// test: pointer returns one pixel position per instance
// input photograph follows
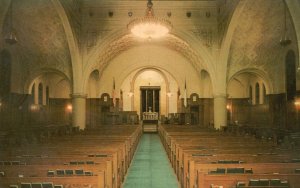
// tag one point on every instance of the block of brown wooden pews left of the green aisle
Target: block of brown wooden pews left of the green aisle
(70, 158)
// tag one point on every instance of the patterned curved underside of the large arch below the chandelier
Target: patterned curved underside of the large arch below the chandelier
(189, 47)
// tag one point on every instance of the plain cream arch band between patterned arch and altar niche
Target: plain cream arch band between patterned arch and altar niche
(137, 57)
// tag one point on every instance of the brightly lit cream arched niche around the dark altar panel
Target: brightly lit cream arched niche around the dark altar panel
(149, 76)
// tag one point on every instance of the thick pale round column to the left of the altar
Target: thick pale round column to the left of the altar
(79, 110)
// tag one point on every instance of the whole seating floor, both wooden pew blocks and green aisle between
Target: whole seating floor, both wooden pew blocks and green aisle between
(123, 156)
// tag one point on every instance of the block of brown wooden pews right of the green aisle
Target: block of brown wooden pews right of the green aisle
(198, 154)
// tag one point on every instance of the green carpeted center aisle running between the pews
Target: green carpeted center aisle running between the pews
(150, 167)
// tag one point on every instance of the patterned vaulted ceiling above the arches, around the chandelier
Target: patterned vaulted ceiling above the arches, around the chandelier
(44, 43)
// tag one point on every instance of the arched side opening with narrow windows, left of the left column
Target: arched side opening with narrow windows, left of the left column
(51, 89)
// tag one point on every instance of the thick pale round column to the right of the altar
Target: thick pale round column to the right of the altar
(220, 111)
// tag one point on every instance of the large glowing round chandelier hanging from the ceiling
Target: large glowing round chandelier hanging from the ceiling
(149, 27)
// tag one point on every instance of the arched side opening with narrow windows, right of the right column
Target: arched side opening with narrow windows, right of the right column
(244, 92)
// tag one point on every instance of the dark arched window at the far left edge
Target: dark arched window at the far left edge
(5, 73)
